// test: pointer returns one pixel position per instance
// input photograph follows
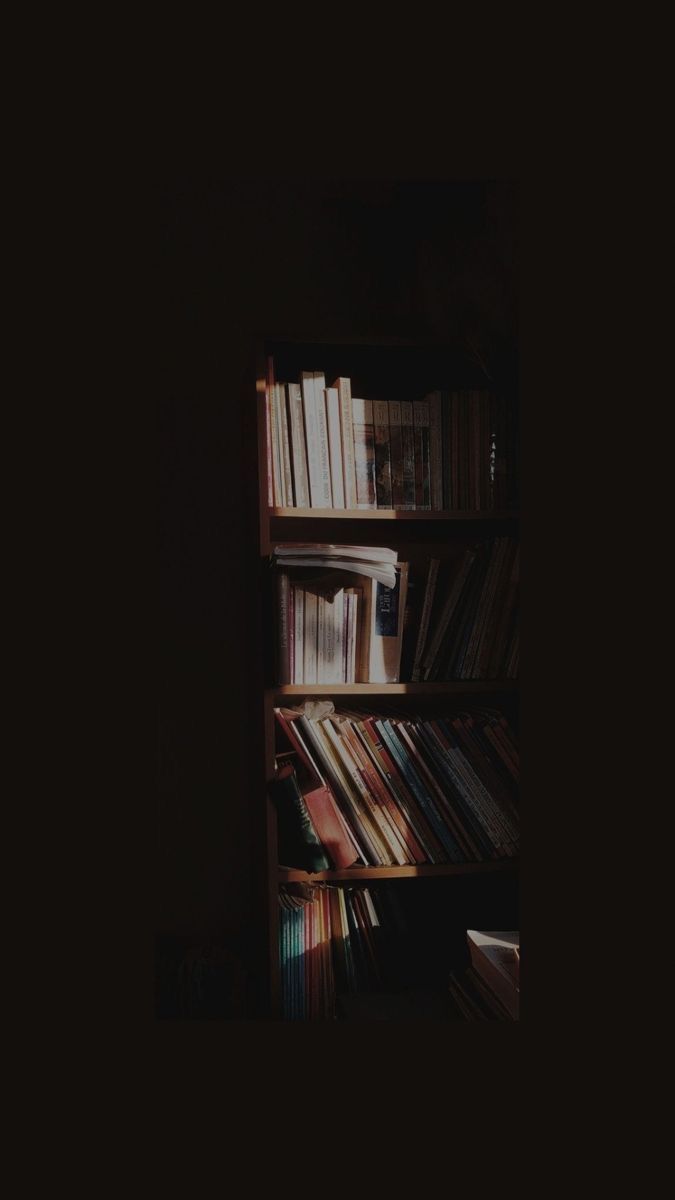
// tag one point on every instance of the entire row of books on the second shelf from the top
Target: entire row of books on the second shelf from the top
(338, 626)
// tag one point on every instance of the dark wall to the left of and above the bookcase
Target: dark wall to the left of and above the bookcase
(241, 260)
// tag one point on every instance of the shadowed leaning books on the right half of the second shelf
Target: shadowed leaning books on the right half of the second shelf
(468, 627)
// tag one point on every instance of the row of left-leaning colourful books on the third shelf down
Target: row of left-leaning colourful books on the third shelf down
(385, 790)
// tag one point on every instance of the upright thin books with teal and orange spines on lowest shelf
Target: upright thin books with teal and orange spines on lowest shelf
(338, 944)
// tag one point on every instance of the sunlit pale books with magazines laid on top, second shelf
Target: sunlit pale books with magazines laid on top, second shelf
(341, 614)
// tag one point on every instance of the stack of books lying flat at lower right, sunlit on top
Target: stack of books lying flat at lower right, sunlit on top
(491, 988)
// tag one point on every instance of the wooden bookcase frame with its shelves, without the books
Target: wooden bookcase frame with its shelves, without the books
(391, 370)
